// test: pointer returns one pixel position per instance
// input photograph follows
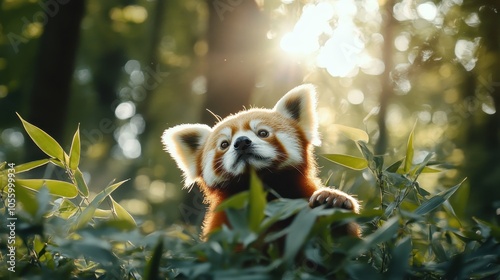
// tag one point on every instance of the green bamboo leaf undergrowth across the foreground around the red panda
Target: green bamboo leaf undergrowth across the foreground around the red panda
(52, 229)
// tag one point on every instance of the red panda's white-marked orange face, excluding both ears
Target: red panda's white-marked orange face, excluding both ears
(257, 138)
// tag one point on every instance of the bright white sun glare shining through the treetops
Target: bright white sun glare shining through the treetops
(326, 33)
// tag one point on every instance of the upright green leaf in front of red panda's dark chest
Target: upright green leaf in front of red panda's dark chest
(257, 202)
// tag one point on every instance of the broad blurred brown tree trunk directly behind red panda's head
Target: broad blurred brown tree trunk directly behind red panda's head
(236, 37)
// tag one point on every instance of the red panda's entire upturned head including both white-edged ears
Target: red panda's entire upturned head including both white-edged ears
(271, 139)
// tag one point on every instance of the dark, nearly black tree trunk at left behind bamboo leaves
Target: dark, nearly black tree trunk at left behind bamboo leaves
(54, 69)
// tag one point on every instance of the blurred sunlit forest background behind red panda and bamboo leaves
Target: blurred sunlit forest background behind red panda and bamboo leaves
(125, 70)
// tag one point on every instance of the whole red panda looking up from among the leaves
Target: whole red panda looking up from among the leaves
(277, 143)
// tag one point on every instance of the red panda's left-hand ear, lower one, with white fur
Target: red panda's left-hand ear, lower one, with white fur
(184, 142)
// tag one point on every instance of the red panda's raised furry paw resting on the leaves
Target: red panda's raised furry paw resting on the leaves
(334, 198)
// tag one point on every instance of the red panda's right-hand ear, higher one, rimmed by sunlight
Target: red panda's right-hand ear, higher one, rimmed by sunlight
(299, 104)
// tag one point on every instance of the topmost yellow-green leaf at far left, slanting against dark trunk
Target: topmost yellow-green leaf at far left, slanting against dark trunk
(44, 141)
